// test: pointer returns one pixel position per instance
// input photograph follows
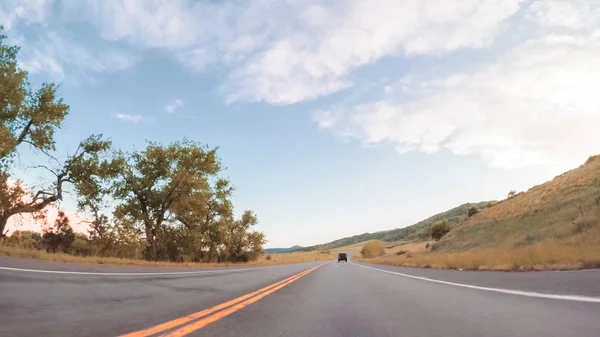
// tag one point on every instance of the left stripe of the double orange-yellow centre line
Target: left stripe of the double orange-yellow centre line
(180, 321)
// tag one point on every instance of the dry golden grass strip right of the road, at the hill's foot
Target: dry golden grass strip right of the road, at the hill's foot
(577, 252)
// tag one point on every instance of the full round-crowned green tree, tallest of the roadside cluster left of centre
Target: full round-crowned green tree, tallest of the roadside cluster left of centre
(156, 182)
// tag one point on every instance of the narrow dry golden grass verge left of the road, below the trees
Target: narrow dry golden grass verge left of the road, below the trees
(276, 259)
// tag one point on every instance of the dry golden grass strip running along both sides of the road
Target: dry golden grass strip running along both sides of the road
(577, 252)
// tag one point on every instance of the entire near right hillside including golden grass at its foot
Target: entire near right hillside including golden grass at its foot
(555, 225)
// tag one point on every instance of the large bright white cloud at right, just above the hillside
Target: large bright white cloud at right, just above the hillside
(535, 104)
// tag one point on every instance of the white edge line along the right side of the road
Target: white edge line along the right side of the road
(498, 290)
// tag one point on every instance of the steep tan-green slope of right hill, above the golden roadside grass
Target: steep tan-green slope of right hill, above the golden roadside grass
(555, 210)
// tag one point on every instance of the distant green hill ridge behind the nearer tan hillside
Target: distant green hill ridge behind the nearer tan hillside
(418, 231)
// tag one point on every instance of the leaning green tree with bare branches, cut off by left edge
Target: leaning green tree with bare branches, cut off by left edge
(31, 118)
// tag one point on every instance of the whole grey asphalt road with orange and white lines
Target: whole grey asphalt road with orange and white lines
(311, 299)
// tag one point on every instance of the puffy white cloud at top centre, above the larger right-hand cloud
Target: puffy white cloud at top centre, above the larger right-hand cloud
(316, 59)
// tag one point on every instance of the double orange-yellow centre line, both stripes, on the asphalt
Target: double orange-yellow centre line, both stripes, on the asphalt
(202, 318)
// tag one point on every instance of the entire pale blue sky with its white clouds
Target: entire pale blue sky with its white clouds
(333, 118)
